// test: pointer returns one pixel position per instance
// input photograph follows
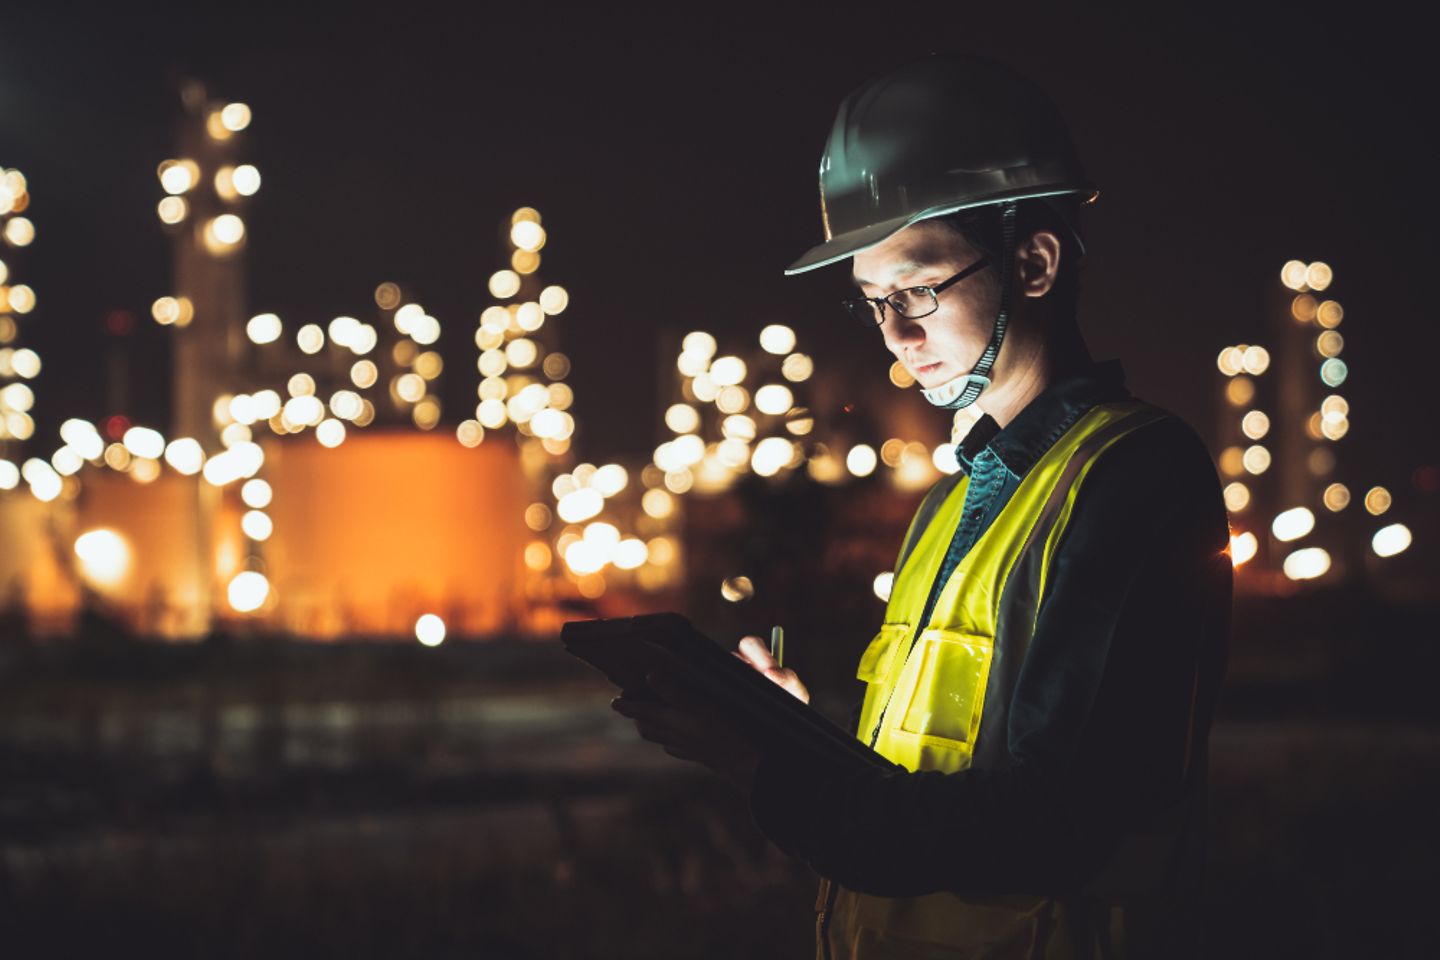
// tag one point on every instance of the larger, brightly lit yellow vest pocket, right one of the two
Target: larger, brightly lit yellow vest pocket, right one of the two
(950, 689)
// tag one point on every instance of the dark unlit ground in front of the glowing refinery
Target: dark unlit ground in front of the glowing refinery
(482, 801)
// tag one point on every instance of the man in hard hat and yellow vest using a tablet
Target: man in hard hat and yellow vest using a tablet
(1055, 640)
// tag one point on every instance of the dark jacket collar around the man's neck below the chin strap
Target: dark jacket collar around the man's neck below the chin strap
(1038, 427)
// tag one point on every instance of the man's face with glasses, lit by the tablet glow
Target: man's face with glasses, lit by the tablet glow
(950, 342)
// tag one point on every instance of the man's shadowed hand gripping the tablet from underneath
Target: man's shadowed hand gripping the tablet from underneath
(690, 728)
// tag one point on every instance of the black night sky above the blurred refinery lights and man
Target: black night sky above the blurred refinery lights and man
(673, 158)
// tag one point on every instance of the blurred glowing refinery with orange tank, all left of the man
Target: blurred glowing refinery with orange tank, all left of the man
(382, 523)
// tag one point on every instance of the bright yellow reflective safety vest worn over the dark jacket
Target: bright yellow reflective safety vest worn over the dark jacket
(932, 697)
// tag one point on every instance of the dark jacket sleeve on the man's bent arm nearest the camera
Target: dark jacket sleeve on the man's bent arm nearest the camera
(1101, 716)
